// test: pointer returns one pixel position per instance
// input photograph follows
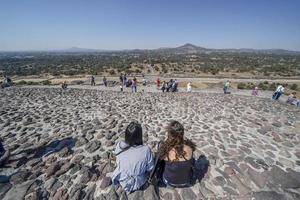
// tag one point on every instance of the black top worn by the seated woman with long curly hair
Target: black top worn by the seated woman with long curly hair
(179, 172)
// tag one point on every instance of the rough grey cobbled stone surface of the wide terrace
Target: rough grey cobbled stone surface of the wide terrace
(64, 141)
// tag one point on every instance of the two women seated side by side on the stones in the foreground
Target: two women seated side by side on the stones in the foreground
(174, 163)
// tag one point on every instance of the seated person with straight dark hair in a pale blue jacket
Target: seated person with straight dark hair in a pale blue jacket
(133, 159)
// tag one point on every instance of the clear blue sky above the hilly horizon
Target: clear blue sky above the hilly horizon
(148, 24)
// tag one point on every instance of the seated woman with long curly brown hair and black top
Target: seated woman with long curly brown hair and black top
(177, 154)
